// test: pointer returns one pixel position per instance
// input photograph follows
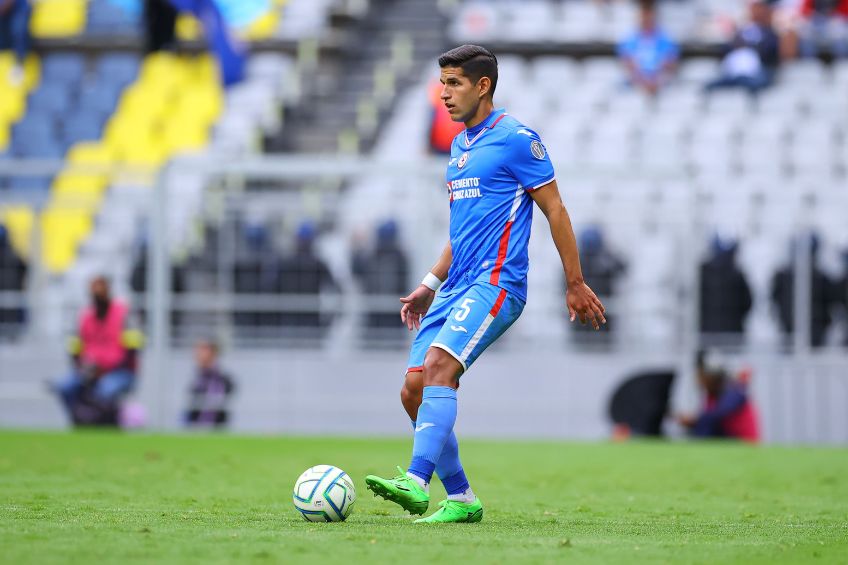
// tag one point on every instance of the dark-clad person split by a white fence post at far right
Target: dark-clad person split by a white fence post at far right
(824, 296)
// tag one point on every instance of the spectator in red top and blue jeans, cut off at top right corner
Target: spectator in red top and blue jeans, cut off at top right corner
(824, 22)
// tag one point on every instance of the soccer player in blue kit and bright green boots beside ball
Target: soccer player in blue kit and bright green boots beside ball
(498, 167)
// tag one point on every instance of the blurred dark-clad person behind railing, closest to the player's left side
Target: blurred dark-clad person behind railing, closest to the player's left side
(383, 272)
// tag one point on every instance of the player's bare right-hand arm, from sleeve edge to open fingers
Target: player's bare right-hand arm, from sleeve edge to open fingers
(581, 300)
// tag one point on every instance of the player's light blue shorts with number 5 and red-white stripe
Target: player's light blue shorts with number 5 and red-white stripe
(464, 323)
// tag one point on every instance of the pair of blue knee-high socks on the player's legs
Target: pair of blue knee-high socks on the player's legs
(435, 443)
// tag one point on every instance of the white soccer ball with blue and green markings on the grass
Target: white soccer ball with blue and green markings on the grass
(324, 494)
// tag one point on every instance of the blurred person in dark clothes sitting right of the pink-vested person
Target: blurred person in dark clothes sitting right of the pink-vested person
(211, 389)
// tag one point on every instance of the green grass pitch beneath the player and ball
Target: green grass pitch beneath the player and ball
(102, 497)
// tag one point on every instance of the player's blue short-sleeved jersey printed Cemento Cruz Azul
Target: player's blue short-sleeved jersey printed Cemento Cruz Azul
(493, 167)
